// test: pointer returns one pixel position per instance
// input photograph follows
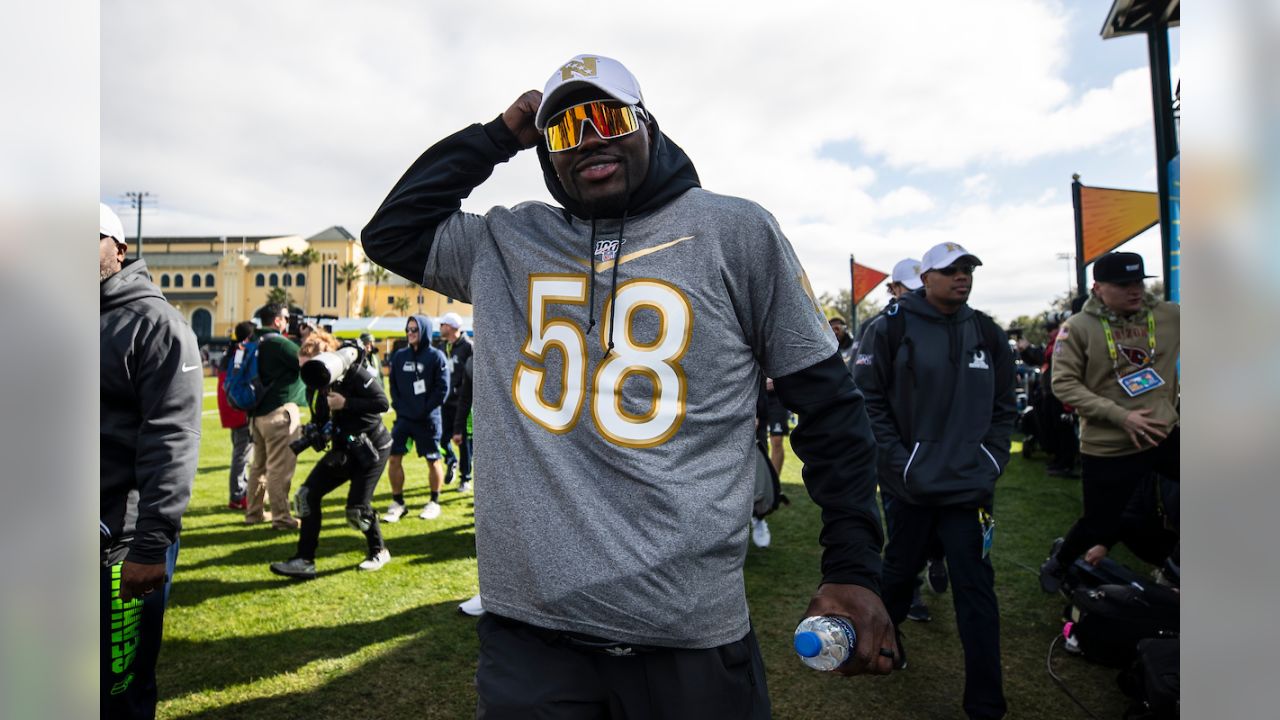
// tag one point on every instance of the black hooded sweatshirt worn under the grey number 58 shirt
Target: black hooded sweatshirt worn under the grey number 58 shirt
(834, 438)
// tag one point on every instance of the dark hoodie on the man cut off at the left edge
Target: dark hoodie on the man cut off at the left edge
(152, 397)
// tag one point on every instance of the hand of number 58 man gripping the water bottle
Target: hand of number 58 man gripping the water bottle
(871, 623)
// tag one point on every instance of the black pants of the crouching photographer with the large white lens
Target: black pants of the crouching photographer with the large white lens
(335, 470)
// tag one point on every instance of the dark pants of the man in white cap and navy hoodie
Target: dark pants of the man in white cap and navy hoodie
(973, 589)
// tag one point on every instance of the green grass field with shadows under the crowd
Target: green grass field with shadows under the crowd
(243, 644)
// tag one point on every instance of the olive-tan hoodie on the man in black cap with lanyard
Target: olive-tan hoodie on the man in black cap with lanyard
(1086, 379)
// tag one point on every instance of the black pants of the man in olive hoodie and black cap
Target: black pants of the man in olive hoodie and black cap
(1109, 486)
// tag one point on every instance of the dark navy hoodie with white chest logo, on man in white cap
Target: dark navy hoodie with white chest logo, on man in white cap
(941, 405)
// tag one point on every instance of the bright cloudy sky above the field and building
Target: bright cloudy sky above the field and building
(868, 129)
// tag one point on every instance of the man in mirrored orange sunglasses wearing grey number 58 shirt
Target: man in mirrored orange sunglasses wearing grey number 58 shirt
(628, 330)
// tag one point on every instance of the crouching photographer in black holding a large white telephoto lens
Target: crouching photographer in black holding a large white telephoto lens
(348, 405)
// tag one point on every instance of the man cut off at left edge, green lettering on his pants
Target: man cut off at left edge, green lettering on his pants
(152, 390)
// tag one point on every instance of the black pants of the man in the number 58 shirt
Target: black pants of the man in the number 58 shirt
(527, 675)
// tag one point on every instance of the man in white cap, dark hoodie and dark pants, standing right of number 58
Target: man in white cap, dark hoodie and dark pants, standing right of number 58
(939, 380)
